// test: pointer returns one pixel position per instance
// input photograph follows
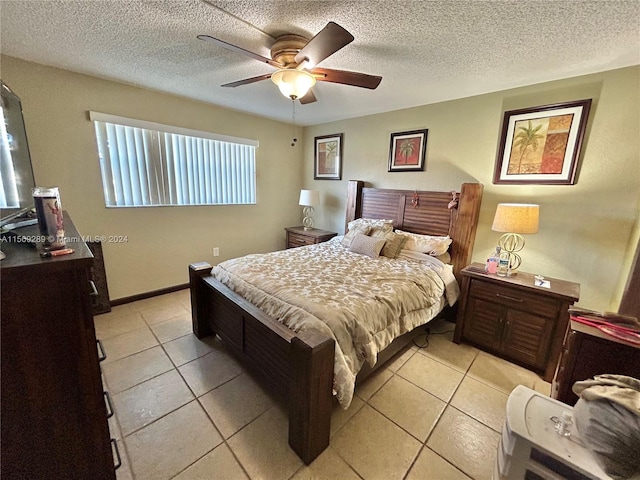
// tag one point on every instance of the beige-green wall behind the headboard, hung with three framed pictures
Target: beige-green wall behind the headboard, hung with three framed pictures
(586, 229)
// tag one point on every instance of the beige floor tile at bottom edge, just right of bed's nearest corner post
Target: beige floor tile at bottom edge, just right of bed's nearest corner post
(375, 447)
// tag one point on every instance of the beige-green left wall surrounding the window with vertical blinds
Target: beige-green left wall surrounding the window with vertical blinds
(161, 241)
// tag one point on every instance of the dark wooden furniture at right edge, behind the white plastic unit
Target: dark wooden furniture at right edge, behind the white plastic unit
(588, 352)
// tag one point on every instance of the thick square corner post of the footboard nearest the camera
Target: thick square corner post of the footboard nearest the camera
(310, 394)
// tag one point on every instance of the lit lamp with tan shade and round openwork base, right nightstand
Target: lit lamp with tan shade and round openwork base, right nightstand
(515, 219)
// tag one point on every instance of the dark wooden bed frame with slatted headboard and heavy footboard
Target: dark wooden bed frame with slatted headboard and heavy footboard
(301, 365)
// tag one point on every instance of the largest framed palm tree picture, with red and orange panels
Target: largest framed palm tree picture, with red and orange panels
(542, 145)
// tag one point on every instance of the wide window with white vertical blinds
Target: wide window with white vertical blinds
(149, 164)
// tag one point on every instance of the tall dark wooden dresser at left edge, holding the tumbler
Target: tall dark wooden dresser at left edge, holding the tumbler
(54, 410)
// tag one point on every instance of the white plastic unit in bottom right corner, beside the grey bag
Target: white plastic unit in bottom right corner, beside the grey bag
(531, 449)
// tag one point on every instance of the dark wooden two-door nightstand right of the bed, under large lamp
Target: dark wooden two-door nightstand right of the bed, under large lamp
(515, 319)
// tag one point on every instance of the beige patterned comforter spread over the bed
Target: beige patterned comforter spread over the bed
(362, 303)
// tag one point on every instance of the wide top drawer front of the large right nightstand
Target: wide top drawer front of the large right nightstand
(514, 298)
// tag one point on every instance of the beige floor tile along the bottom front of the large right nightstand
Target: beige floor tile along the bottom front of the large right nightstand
(500, 374)
